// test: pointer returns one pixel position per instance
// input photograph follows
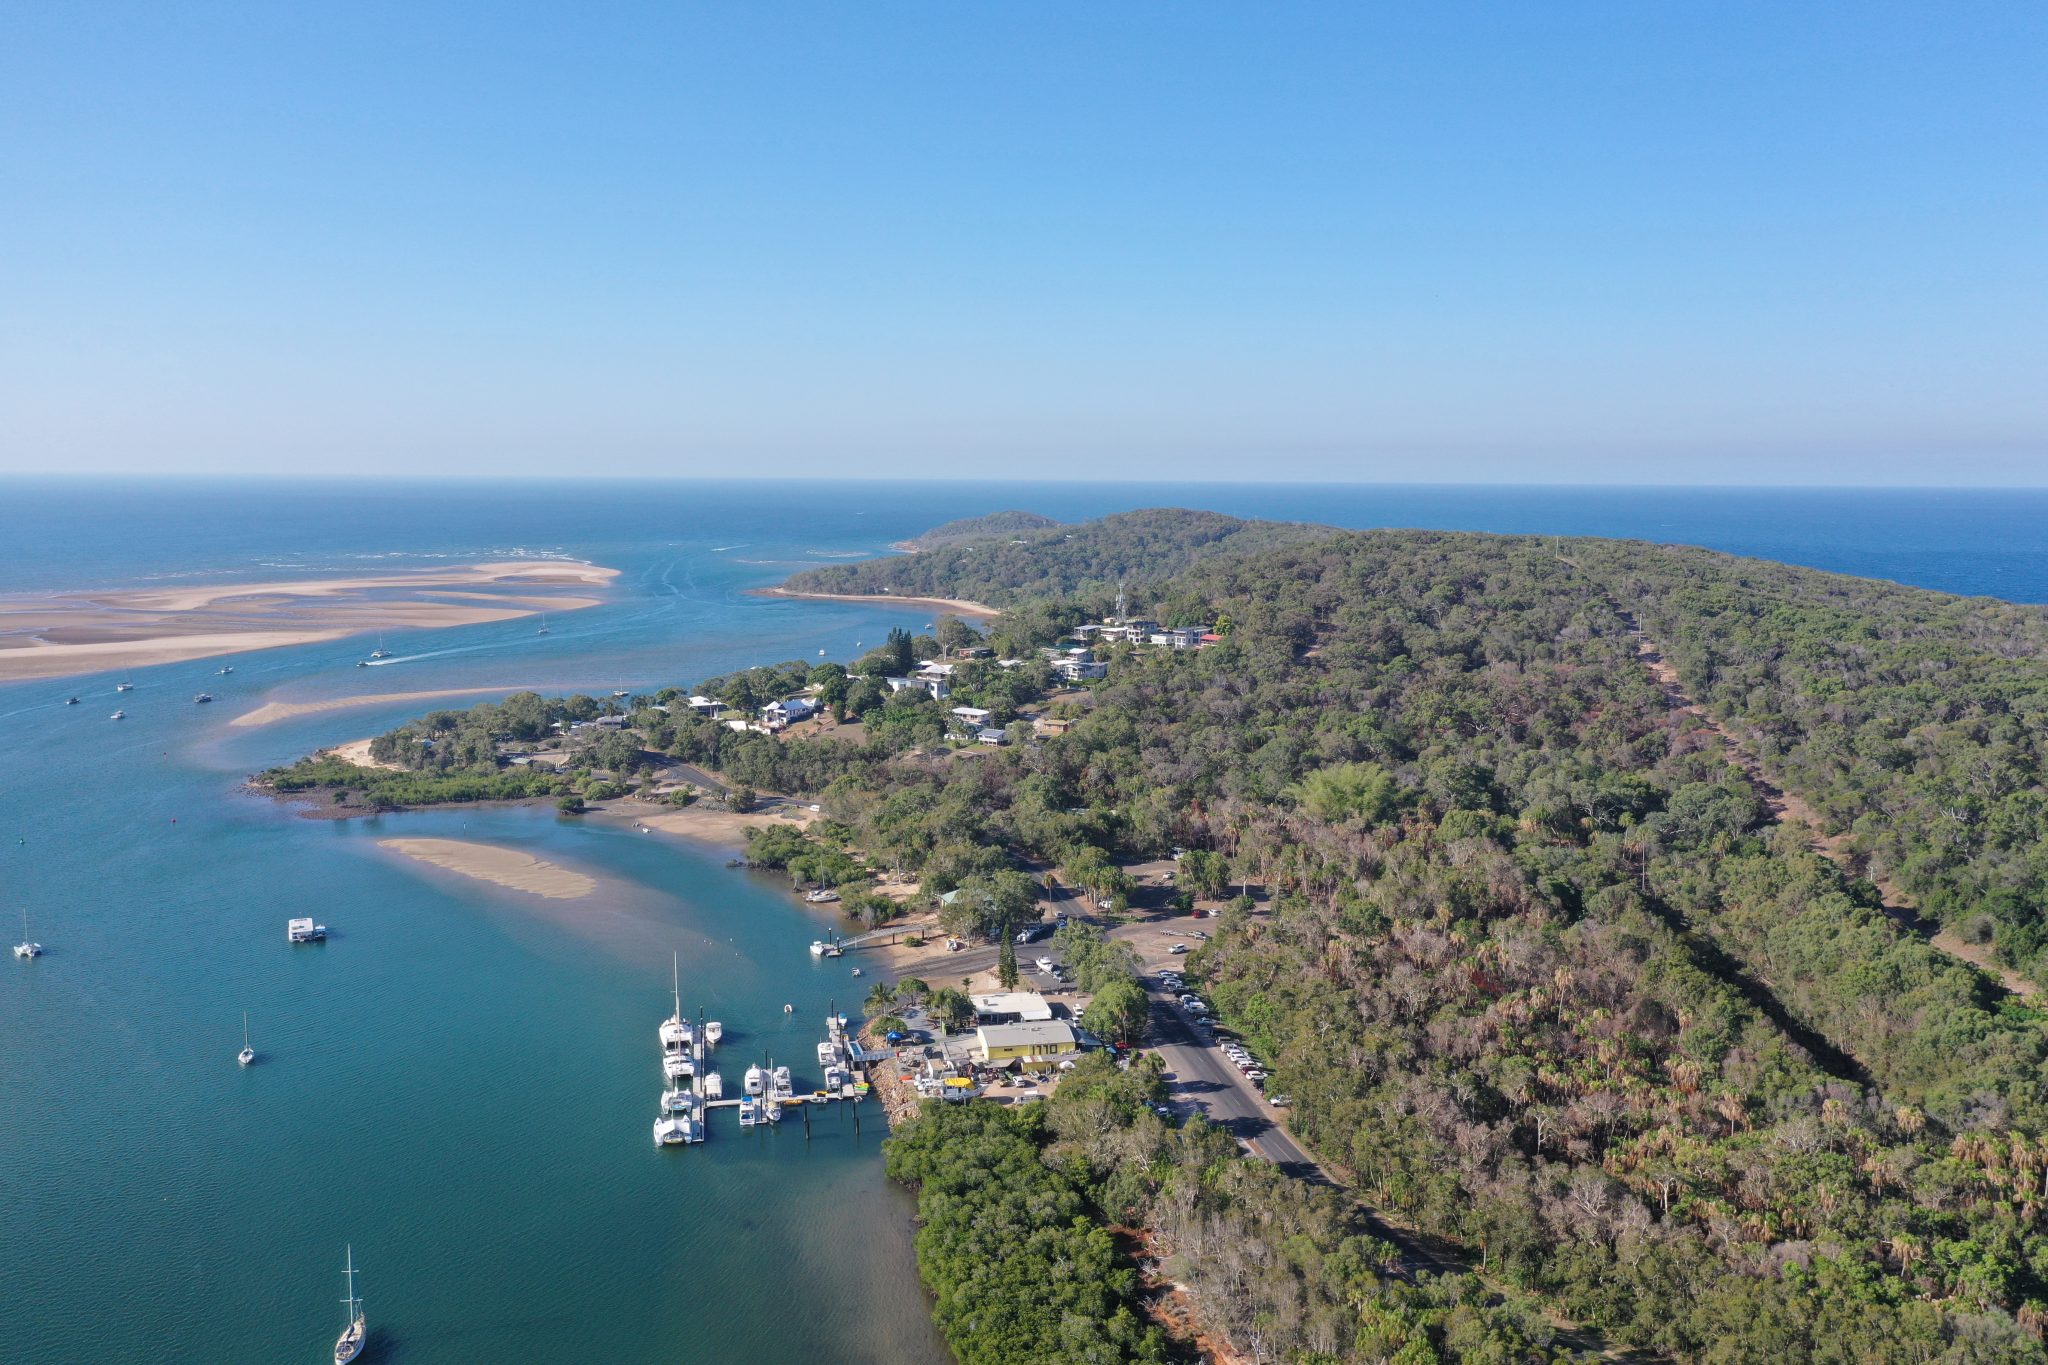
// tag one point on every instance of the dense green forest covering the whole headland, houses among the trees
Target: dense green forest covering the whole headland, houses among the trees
(1510, 920)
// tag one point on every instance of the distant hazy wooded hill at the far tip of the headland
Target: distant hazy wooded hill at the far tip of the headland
(1062, 562)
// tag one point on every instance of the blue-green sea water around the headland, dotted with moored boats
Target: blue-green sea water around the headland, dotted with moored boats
(462, 1082)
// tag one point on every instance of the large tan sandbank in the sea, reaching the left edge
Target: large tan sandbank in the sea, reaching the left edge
(60, 635)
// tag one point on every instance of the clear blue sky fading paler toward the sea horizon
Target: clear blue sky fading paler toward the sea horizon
(1588, 243)
